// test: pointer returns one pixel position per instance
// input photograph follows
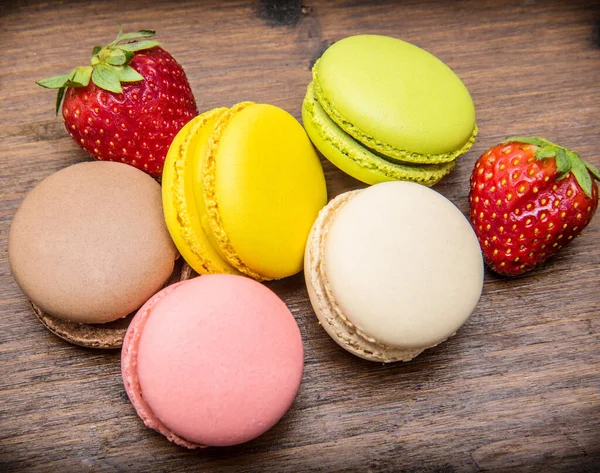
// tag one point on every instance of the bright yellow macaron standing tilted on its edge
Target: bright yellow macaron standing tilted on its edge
(241, 189)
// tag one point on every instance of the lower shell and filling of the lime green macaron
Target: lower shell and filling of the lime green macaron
(367, 165)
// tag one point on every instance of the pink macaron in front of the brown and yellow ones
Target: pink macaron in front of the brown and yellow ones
(212, 361)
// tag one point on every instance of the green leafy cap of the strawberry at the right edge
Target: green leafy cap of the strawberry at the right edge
(567, 161)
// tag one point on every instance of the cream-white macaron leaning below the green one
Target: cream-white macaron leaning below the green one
(392, 270)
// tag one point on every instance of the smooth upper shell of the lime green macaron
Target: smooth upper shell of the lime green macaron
(392, 95)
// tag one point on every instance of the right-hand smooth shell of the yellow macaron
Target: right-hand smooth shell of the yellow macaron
(263, 188)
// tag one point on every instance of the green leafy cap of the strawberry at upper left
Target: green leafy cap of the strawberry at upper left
(109, 66)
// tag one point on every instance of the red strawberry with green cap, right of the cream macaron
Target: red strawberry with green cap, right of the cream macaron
(529, 198)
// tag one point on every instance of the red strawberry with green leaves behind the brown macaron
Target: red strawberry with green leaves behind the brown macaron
(129, 104)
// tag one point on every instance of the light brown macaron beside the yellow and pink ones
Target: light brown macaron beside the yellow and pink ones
(88, 246)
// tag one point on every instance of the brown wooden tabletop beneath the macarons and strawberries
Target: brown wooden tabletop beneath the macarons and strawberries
(517, 389)
